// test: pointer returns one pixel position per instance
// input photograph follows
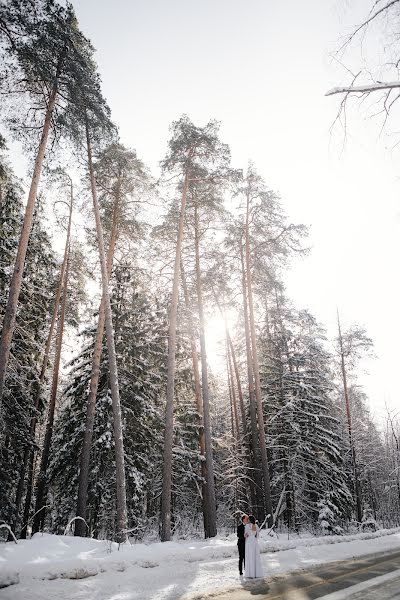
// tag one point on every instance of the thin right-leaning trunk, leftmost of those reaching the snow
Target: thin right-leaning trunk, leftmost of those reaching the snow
(27, 463)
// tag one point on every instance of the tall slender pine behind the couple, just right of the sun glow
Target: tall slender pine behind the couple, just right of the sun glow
(263, 241)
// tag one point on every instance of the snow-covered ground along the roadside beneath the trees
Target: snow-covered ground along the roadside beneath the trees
(52, 567)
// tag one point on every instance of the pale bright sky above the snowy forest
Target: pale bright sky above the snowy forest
(262, 68)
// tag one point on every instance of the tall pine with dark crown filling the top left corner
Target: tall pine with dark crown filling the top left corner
(45, 56)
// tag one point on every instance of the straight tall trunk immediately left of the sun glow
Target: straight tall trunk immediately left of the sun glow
(211, 506)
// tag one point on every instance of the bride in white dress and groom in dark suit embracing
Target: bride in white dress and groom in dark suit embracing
(249, 550)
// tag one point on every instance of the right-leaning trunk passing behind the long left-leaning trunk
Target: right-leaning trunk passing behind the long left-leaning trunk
(83, 483)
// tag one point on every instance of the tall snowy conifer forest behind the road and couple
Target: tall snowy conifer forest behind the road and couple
(110, 410)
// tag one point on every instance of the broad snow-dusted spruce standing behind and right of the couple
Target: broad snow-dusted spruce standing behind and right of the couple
(304, 431)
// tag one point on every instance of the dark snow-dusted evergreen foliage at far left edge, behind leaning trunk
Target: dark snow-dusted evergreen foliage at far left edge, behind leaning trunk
(30, 336)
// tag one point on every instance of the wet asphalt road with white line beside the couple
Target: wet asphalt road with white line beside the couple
(375, 577)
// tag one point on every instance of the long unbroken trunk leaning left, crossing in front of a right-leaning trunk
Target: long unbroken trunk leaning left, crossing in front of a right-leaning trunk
(112, 361)
